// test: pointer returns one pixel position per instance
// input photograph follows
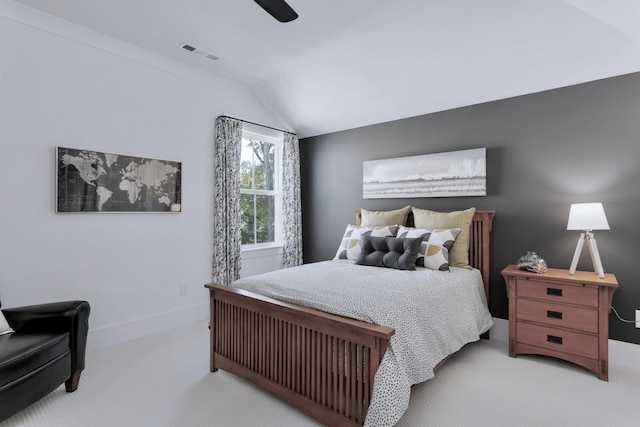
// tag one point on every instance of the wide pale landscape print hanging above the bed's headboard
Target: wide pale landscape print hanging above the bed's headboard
(451, 174)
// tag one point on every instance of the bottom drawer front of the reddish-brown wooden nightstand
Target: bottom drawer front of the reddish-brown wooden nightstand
(554, 339)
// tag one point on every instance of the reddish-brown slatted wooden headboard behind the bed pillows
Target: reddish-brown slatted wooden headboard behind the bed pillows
(479, 242)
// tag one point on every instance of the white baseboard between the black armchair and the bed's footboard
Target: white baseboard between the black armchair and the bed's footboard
(119, 333)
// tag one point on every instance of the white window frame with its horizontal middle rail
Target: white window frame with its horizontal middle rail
(275, 138)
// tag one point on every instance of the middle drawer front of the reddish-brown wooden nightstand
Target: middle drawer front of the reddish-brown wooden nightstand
(564, 316)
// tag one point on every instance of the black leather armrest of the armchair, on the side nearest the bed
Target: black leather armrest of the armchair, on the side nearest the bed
(66, 316)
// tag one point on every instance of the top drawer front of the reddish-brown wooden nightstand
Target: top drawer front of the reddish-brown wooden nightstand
(557, 292)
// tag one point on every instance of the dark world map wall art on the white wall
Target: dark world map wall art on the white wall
(91, 181)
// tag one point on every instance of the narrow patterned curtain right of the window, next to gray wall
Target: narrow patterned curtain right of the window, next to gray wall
(292, 205)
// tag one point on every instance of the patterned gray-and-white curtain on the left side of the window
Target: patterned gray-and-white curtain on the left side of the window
(226, 211)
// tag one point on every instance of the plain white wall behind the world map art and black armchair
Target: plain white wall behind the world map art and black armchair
(62, 85)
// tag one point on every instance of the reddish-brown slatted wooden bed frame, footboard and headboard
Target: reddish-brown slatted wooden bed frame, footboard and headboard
(322, 364)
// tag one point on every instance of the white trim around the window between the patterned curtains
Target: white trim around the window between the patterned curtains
(276, 138)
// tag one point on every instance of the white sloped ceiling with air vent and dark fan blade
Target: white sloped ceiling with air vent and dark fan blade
(349, 63)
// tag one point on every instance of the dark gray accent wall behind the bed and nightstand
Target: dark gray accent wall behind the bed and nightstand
(544, 151)
